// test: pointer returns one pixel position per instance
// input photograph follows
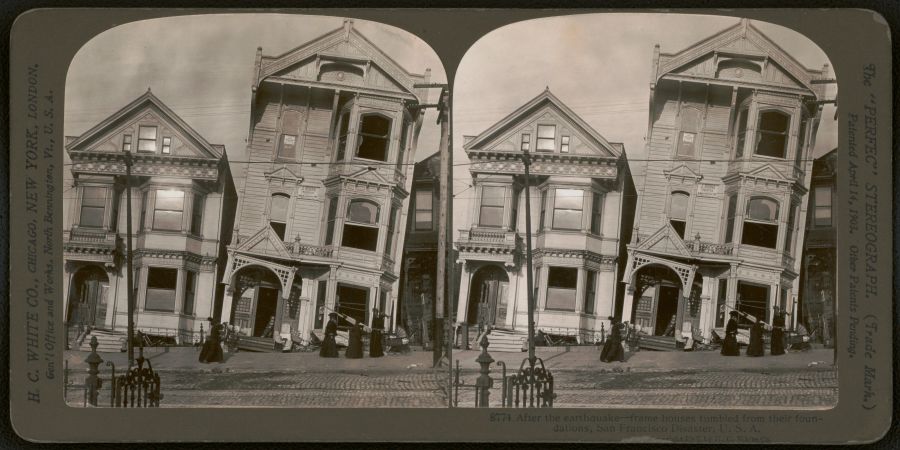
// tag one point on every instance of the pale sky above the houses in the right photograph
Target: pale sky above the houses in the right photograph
(597, 64)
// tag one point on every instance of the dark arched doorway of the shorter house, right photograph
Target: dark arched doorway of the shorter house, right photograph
(488, 304)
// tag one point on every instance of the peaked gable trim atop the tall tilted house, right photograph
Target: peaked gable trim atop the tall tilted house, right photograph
(724, 41)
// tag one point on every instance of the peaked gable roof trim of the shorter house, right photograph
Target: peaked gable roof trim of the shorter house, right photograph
(544, 99)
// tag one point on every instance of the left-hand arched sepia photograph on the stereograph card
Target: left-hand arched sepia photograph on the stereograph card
(241, 196)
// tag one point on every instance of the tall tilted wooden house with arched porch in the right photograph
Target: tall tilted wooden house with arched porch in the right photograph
(720, 211)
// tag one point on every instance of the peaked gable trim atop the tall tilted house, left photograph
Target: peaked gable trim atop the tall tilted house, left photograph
(328, 46)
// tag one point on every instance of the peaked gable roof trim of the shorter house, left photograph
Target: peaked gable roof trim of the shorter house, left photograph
(137, 108)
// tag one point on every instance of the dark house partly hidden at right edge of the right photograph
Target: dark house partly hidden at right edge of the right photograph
(818, 273)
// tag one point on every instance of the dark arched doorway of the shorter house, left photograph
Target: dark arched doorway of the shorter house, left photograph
(88, 297)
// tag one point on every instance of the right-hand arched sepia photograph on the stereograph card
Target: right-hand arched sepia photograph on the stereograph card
(643, 204)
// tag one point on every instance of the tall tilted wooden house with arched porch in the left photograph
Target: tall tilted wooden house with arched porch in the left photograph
(333, 129)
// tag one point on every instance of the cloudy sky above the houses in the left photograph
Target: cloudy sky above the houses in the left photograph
(202, 66)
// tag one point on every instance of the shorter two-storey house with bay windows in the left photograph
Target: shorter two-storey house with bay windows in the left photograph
(182, 207)
